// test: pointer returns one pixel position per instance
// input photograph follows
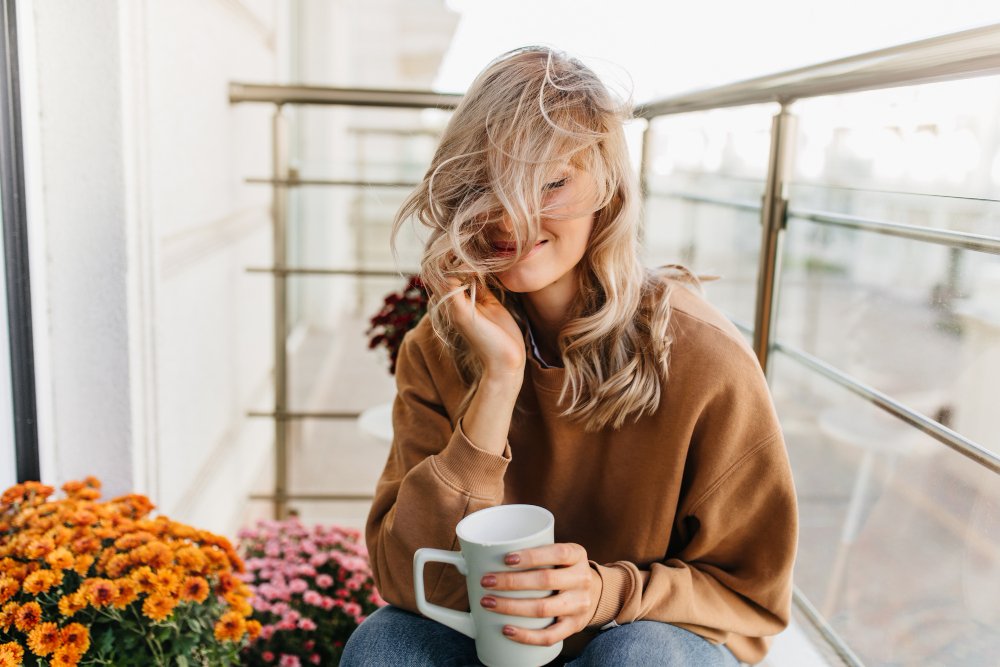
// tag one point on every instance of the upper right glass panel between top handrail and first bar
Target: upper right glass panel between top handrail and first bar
(862, 153)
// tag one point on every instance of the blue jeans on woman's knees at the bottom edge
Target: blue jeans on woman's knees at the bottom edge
(392, 636)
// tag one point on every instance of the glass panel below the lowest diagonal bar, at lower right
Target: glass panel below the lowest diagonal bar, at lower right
(899, 543)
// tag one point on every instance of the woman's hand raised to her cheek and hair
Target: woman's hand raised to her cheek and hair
(490, 330)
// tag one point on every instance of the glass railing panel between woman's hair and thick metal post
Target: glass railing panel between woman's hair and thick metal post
(705, 177)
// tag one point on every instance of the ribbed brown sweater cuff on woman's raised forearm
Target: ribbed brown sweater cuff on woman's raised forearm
(470, 469)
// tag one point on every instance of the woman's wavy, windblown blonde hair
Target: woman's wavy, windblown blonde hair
(529, 112)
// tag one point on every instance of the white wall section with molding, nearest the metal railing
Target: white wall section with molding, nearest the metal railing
(213, 351)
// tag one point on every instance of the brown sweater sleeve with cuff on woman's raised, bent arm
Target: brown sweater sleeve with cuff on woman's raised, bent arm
(433, 478)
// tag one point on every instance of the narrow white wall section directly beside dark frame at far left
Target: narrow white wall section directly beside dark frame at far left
(77, 211)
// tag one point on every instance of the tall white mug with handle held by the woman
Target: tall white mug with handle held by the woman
(486, 537)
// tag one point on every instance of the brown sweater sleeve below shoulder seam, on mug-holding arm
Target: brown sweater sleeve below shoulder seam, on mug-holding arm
(732, 580)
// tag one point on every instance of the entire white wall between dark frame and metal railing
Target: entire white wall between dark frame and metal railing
(152, 341)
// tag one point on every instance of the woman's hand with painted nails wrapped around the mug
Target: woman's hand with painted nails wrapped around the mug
(577, 589)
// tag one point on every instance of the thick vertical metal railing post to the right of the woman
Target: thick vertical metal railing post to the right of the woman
(772, 217)
